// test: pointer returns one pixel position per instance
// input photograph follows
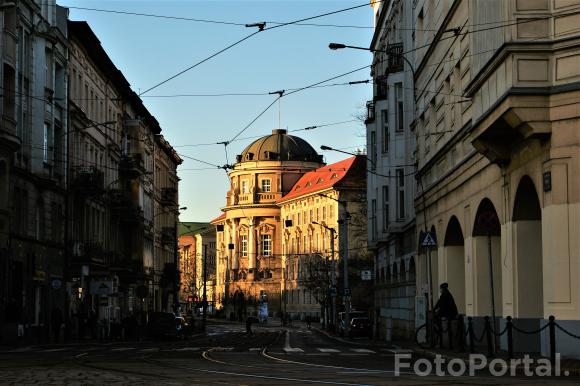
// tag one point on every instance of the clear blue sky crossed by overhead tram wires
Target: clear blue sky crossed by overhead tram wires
(149, 50)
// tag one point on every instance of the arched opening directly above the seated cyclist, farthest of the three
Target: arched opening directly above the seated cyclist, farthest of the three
(454, 255)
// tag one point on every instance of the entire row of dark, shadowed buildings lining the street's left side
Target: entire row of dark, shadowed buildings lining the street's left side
(76, 171)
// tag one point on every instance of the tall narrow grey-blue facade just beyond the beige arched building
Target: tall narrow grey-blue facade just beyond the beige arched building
(391, 187)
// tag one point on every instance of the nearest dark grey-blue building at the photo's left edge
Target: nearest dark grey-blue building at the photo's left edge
(32, 166)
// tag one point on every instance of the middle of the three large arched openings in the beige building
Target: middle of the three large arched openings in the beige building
(486, 244)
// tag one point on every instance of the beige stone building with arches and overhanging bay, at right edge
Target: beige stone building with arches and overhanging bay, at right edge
(497, 113)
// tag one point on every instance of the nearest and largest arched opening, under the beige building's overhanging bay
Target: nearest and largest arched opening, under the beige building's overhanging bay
(527, 232)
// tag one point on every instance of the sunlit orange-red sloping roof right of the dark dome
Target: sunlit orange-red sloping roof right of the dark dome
(323, 178)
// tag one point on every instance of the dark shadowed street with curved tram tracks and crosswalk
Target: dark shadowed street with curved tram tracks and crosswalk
(226, 355)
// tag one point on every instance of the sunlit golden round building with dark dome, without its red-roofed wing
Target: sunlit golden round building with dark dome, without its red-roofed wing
(249, 249)
